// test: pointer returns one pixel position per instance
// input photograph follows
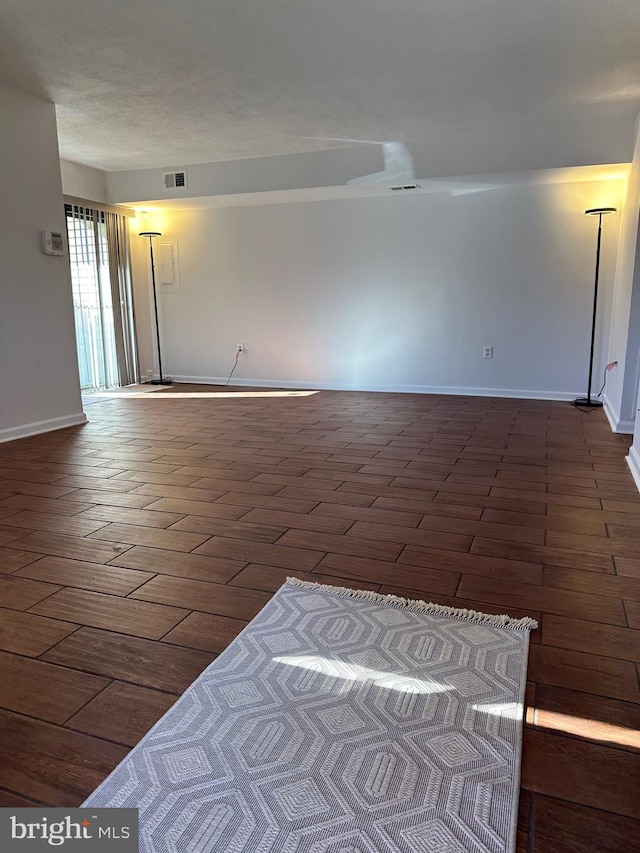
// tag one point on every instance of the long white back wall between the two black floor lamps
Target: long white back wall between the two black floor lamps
(394, 293)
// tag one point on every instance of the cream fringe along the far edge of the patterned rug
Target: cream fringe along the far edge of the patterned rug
(502, 621)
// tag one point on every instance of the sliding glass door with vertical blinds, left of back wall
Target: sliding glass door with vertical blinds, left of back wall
(103, 307)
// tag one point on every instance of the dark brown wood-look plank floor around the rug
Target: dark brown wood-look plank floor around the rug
(134, 548)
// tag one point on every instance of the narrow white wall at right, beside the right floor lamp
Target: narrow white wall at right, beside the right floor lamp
(622, 385)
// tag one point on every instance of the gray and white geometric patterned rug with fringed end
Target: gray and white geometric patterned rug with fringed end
(339, 721)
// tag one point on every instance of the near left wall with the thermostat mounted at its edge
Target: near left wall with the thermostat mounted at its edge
(39, 387)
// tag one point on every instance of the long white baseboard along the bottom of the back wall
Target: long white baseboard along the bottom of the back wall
(515, 393)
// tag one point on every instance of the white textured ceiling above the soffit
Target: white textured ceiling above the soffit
(157, 83)
